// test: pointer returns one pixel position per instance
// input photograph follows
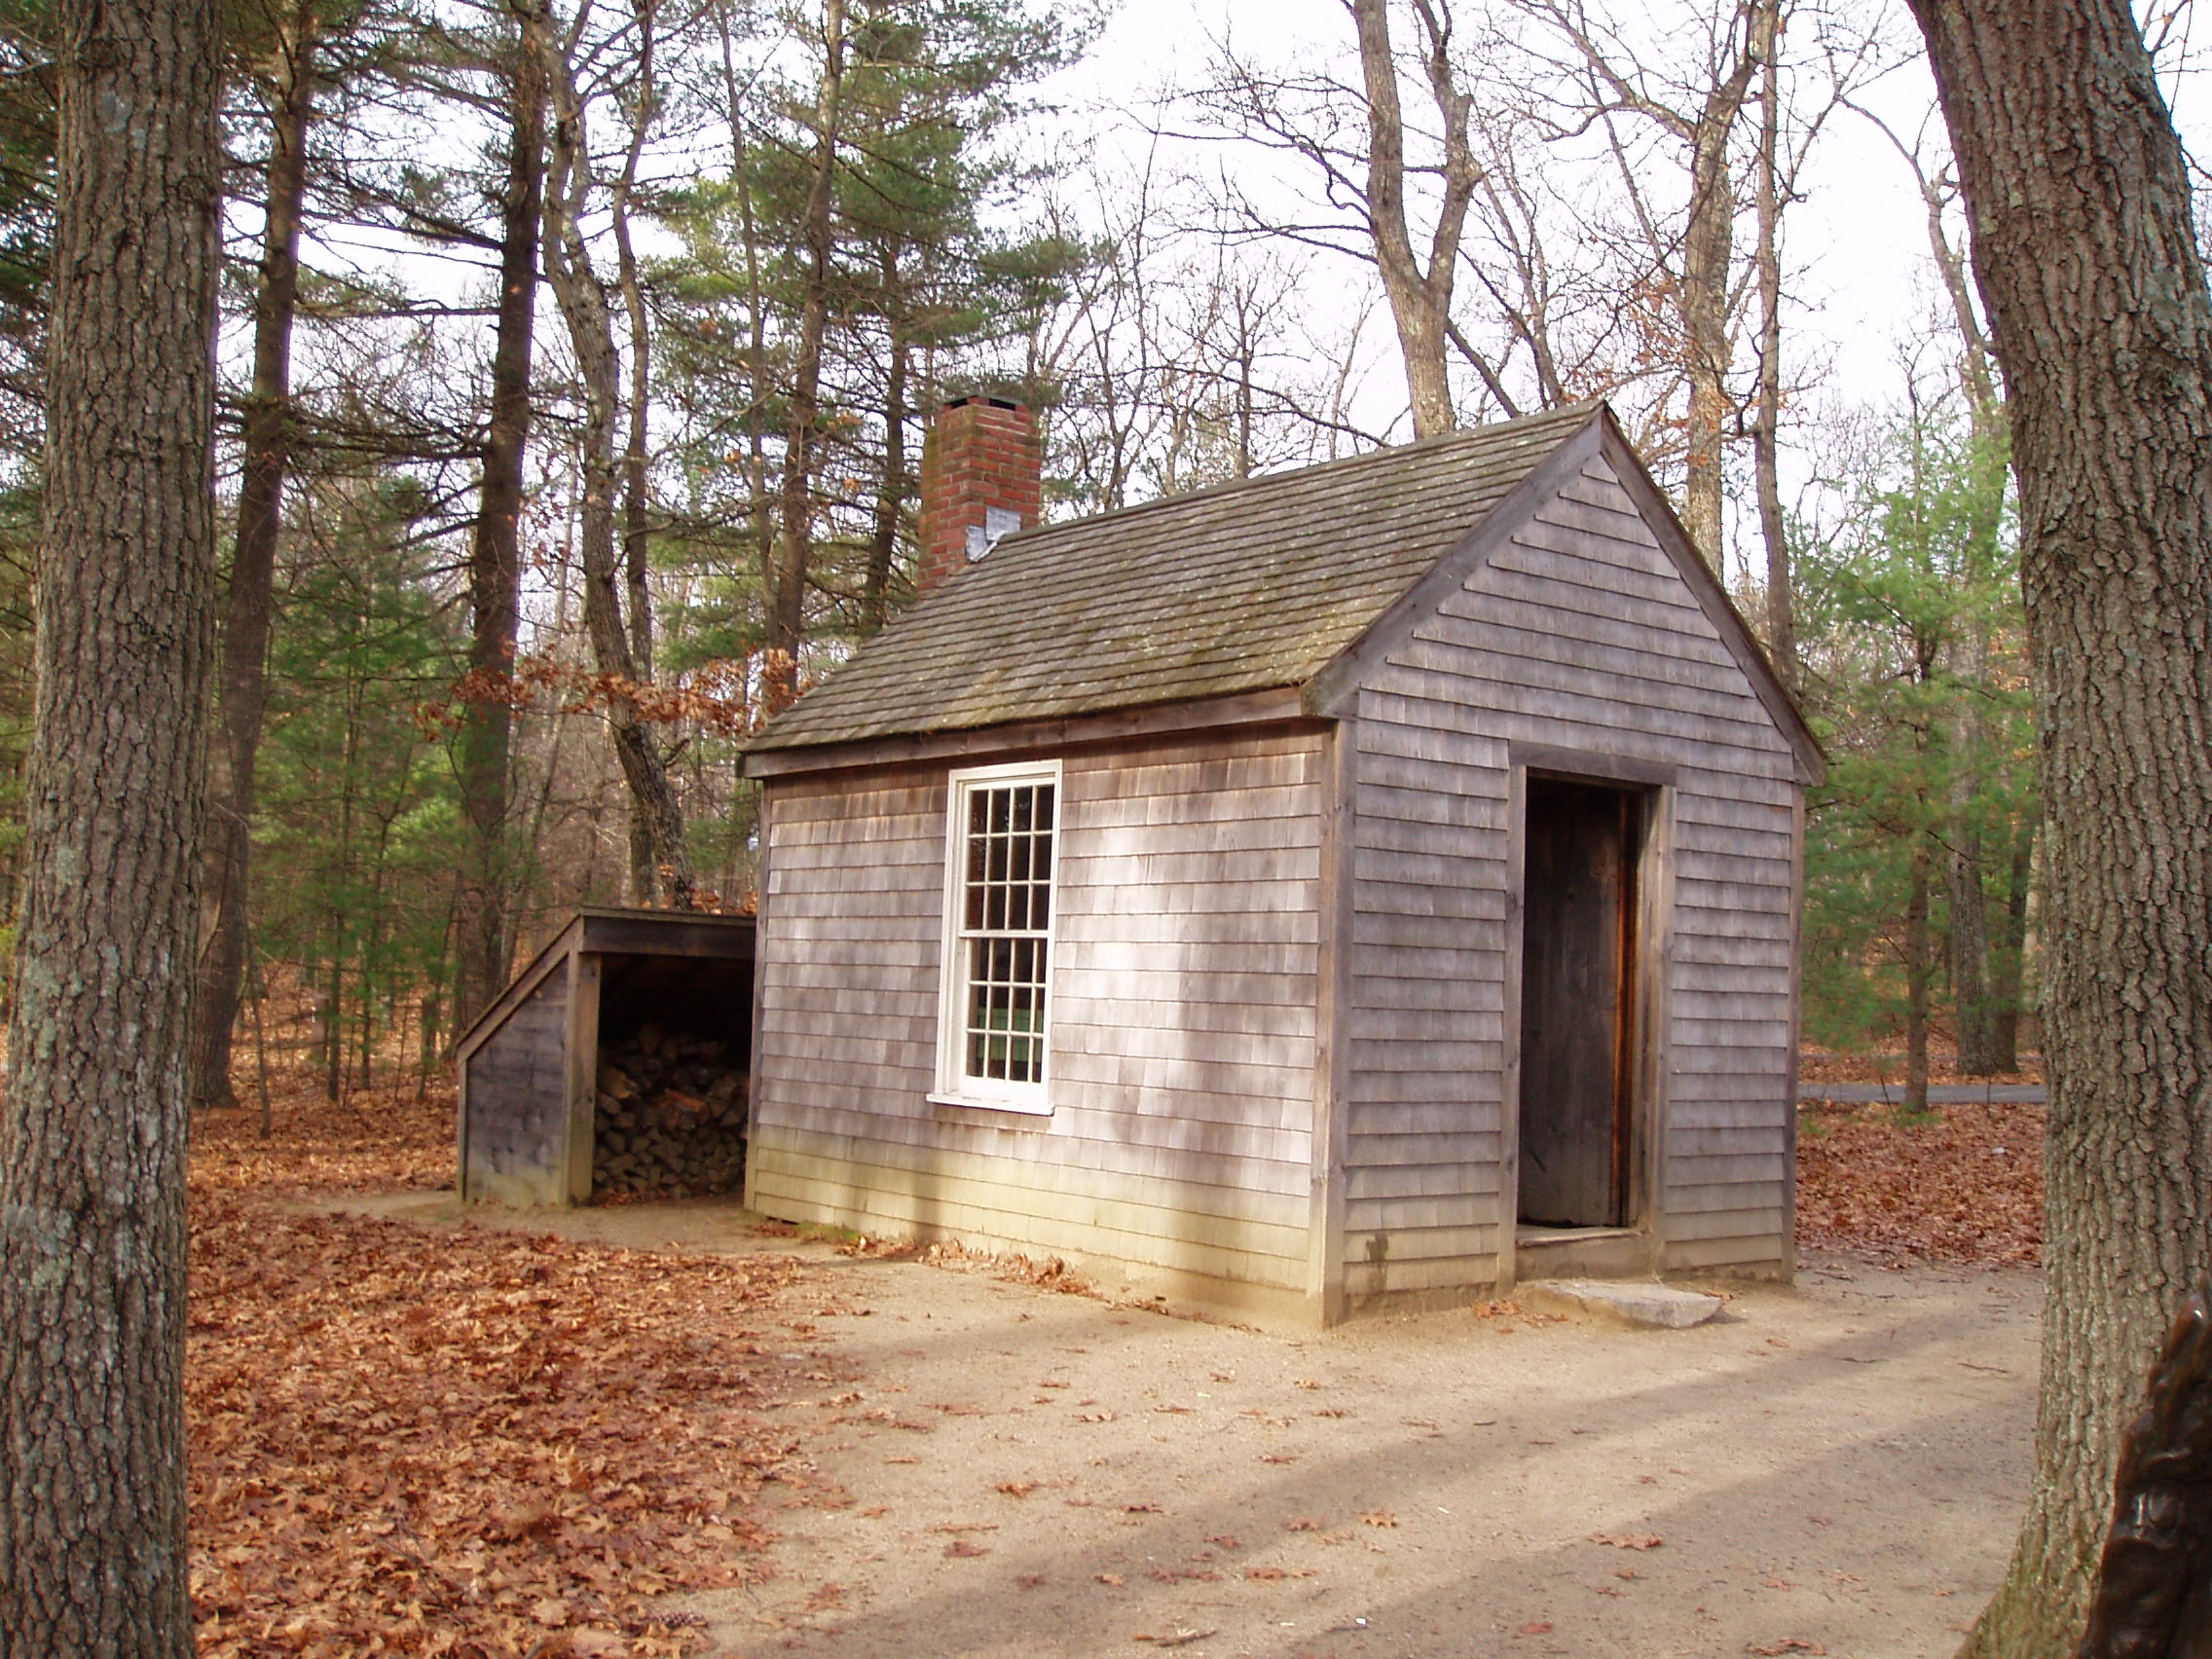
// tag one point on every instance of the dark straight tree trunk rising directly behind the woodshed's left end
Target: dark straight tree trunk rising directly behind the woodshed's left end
(497, 554)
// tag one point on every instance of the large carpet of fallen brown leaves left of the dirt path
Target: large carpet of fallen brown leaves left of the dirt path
(457, 1443)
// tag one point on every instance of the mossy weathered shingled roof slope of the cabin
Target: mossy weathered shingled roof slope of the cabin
(1235, 589)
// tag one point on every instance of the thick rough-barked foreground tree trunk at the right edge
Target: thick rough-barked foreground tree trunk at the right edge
(2087, 255)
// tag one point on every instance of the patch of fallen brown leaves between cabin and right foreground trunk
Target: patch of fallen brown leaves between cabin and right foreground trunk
(1965, 1187)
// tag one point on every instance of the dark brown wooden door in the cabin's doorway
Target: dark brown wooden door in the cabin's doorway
(1576, 1005)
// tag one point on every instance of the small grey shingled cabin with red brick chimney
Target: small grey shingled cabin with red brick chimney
(1350, 888)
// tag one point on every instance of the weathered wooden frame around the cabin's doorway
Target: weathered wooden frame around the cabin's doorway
(1653, 948)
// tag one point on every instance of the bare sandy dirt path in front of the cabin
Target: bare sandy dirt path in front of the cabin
(1019, 1474)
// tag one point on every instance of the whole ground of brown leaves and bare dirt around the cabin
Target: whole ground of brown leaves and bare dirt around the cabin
(654, 1430)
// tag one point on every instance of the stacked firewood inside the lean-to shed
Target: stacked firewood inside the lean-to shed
(671, 1116)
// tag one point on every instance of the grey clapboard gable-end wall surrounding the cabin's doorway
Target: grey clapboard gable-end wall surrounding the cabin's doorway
(1576, 634)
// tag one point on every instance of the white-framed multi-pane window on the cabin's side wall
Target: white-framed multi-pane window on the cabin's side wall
(997, 992)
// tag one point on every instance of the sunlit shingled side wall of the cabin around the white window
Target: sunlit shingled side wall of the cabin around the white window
(1182, 1021)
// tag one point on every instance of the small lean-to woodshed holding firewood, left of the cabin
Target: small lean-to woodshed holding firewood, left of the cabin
(614, 1063)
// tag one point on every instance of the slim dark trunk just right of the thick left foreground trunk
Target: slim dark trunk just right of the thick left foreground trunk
(253, 563)
